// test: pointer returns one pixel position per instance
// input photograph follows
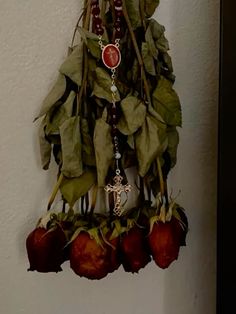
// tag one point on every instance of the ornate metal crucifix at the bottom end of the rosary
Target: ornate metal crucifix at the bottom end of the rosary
(118, 188)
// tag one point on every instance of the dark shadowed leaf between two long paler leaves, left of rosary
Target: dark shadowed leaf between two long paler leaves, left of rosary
(88, 154)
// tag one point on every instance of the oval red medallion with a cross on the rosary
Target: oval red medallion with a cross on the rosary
(111, 56)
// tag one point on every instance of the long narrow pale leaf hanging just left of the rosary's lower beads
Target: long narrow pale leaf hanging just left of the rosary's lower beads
(103, 149)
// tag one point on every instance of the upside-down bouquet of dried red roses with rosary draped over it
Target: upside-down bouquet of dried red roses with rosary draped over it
(112, 107)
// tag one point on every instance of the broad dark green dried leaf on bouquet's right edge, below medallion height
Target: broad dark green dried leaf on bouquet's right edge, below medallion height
(166, 102)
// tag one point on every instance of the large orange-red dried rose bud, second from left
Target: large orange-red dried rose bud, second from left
(88, 258)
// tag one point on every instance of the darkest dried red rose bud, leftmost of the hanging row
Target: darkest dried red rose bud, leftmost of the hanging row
(45, 249)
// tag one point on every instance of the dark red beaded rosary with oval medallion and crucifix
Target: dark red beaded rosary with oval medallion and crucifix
(111, 58)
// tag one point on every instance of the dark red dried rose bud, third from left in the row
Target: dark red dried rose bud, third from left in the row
(134, 251)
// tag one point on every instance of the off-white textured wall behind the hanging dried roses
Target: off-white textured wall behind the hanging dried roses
(34, 36)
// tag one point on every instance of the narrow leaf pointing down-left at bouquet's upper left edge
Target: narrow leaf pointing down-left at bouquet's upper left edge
(54, 95)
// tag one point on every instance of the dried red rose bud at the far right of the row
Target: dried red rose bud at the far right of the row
(164, 242)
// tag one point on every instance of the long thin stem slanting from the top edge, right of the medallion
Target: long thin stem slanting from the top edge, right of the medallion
(136, 48)
